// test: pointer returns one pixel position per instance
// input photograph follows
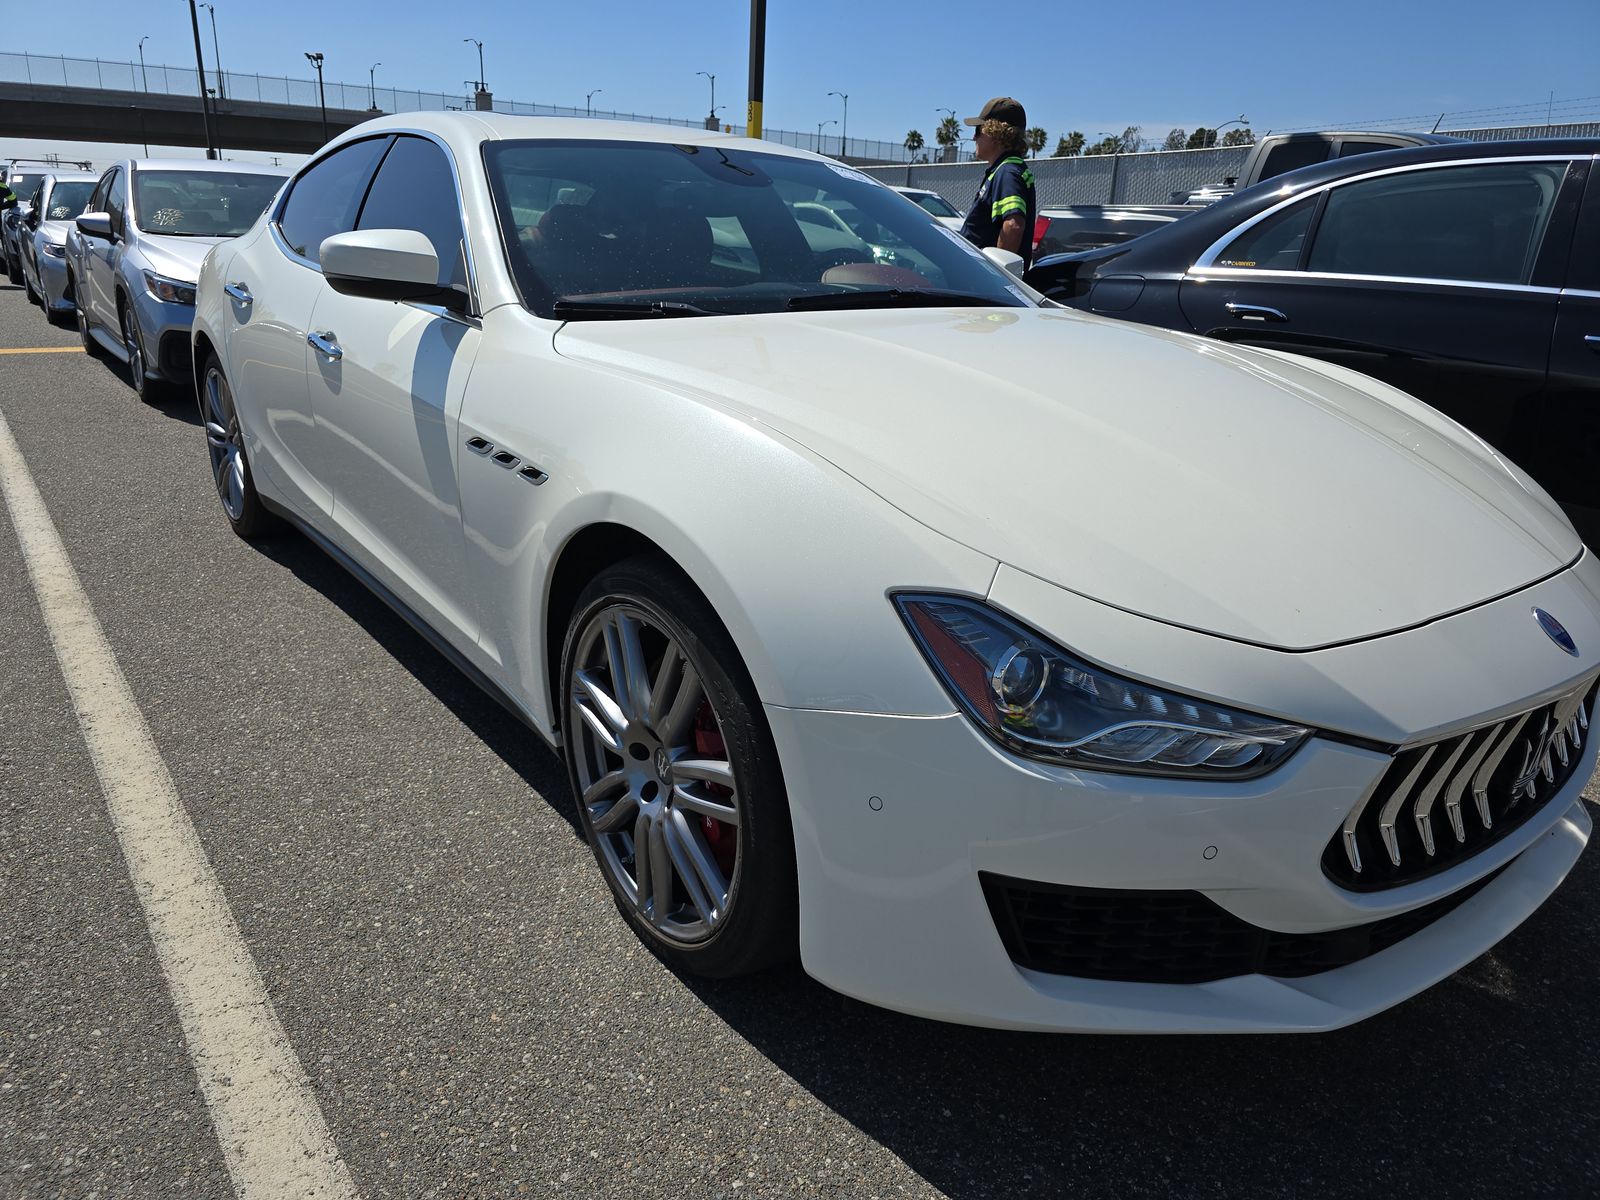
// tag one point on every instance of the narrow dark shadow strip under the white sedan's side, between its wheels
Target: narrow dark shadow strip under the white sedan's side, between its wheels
(521, 748)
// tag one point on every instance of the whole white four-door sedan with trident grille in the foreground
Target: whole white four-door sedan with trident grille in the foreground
(1166, 687)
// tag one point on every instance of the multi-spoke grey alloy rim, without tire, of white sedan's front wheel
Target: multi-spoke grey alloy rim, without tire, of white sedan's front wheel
(657, 785)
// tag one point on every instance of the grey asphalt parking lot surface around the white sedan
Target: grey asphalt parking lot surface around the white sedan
(404, 865)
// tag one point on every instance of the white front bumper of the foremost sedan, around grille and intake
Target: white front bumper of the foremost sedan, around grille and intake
(897, 820)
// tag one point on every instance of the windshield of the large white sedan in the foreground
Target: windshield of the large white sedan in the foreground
(615, 230)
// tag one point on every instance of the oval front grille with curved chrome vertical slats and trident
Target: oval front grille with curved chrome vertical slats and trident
(1446, 802)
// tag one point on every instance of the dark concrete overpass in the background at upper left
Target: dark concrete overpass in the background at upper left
(158, 119)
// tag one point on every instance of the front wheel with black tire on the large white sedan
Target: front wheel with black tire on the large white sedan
(729, 906)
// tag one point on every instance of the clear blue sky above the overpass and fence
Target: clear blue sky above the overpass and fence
(1092, 68)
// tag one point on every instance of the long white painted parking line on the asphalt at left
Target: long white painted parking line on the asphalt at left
(274, 1140)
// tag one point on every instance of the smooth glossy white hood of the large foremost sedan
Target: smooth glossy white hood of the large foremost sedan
(1250, 495)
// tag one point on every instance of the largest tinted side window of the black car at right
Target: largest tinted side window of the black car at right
(1471, 223)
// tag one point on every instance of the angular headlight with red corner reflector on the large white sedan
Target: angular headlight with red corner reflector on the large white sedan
(1041, 702)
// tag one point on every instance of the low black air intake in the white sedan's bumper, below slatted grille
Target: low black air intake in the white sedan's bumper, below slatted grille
(1175, 937)
